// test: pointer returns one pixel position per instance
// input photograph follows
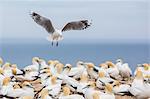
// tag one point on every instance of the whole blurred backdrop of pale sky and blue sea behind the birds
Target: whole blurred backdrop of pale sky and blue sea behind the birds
(120, 29)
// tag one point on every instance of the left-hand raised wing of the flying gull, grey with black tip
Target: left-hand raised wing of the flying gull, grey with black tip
(44, 22)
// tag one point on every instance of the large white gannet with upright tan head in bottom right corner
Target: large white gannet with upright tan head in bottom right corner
(139, 88)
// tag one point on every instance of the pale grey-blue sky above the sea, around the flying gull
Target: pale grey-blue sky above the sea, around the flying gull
(112, 20)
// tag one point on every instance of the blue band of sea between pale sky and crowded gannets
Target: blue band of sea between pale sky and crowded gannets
(21, 54)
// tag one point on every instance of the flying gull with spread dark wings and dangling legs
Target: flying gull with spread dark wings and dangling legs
(55, 35)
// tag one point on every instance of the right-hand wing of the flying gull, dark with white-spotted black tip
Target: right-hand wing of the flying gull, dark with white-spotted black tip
(76, 25)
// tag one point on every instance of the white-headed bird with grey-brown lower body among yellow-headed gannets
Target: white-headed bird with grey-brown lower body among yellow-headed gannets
(124, 69)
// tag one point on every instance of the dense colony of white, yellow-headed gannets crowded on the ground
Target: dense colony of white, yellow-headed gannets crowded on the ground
(54, 80)
